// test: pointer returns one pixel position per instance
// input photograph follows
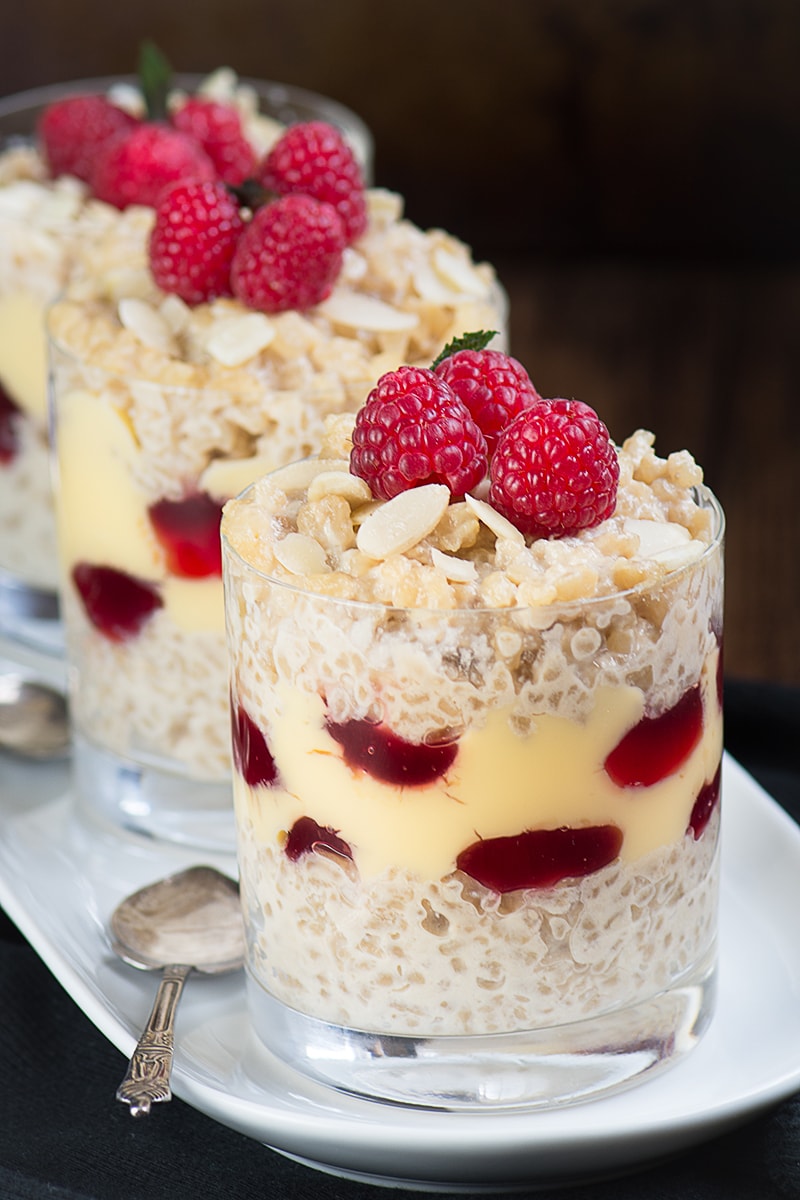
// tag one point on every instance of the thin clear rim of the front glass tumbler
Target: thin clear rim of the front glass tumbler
(706, 499)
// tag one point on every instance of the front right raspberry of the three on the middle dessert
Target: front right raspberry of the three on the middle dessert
(290, 256)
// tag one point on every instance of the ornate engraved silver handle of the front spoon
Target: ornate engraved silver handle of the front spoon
(148, 1076)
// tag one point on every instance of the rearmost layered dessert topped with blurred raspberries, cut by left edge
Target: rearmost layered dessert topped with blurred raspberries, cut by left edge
(62, 193)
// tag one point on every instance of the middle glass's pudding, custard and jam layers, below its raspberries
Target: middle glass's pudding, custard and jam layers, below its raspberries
(165, 412)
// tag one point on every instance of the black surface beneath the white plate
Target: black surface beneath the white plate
(63, 1139)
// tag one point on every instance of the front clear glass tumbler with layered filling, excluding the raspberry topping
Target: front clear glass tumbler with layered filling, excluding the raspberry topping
(479, 848)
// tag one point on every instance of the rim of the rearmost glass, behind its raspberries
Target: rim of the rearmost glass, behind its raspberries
(274, 93)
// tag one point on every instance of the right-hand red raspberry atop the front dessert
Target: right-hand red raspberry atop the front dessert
(555, 470)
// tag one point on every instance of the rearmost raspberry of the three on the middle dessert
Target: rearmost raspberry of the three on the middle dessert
(314, 158)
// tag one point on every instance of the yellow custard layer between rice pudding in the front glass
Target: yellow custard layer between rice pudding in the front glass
(500, 785)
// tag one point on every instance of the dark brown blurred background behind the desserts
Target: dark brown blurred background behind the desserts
(633, 170)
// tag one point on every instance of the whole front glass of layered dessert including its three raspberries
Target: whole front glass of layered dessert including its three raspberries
(478, 737)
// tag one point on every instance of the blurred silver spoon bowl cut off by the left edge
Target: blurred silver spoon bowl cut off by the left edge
(34, 718)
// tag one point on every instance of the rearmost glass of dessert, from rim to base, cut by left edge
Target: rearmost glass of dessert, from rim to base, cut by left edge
(51, 217)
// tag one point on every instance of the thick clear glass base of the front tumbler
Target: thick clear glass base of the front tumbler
(531, 1070)
